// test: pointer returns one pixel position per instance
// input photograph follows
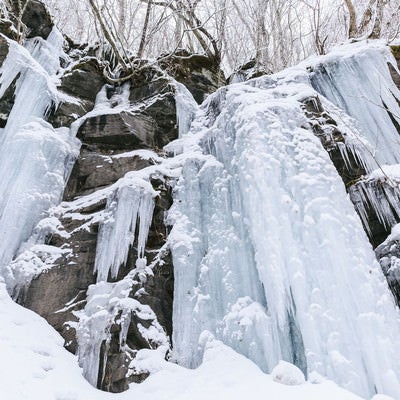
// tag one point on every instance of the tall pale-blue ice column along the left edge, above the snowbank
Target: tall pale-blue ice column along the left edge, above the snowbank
(34, 157)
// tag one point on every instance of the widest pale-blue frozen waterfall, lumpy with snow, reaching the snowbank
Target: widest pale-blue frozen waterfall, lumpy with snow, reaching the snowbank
(269, 254)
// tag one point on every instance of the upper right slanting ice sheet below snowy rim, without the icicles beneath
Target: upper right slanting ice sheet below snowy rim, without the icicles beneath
(359, 83)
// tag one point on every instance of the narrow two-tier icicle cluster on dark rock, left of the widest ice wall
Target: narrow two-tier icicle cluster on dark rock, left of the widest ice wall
(129, 210)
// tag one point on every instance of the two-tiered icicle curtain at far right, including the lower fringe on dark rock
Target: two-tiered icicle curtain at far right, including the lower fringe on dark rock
(362, 86)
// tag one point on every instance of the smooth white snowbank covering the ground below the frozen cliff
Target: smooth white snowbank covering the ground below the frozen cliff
(35, 366)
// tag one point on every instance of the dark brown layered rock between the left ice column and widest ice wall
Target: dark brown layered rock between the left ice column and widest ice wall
(110, 149)
